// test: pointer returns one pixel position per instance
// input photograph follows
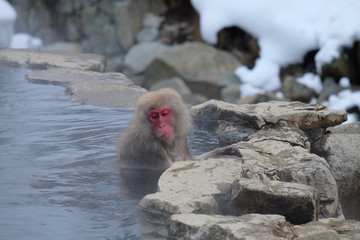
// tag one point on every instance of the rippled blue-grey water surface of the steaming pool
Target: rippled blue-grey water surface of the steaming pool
(58, 172)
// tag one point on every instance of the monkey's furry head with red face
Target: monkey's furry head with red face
(164, 114)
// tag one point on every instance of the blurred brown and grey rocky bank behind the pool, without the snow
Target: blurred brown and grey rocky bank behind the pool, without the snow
(155, 42)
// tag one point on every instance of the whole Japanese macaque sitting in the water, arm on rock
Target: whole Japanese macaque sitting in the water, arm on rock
(156, 136)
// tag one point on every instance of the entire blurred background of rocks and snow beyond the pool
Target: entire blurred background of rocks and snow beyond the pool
(208, 50)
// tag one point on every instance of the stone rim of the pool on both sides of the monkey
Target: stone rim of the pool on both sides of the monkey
(300, 178)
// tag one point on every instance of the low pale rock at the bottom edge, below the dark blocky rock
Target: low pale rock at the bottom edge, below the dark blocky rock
(252, 226)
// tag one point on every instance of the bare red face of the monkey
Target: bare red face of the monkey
(161, 120)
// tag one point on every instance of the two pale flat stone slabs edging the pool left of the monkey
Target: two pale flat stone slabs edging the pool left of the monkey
(82, 74)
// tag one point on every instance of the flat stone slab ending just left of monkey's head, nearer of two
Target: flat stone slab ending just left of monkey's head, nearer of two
(99, 89)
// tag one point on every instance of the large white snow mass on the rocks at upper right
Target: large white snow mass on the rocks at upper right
(286, 31)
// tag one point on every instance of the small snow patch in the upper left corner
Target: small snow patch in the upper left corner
(7, 20)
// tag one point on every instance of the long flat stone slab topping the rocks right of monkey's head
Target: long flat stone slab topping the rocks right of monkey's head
(306, 116)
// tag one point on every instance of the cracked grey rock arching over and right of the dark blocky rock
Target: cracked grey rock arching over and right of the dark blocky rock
(283, 160)
